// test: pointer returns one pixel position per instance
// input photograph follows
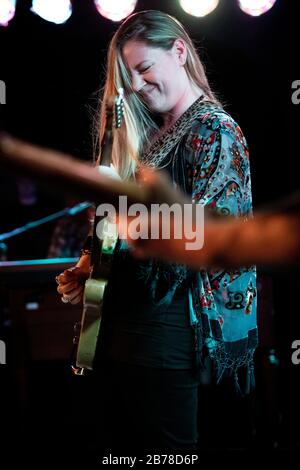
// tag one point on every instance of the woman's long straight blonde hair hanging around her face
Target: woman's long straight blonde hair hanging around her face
(156, 29)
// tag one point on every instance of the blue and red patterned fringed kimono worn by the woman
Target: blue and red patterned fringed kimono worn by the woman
(222, 303)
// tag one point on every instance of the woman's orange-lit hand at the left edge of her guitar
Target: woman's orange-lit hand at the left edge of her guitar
(71, 281)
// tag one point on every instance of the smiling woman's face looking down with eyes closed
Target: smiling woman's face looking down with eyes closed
(158, 76)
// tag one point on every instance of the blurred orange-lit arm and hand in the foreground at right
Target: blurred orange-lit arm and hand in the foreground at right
(271, 238)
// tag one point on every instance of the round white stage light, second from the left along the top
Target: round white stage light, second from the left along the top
(56, 11)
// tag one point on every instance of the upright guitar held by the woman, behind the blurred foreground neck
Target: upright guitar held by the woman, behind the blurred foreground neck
(103, 245)
